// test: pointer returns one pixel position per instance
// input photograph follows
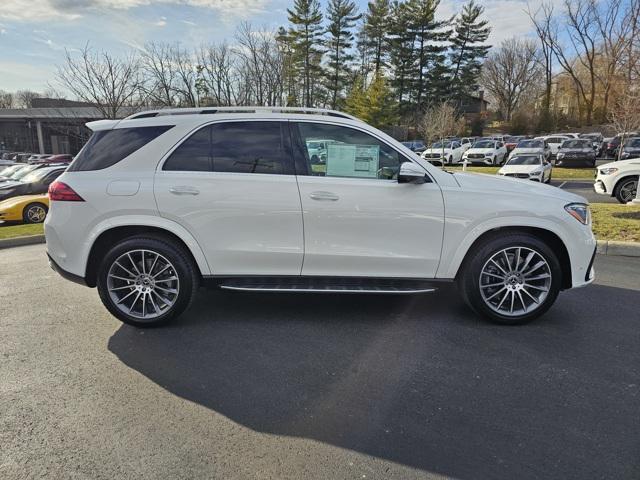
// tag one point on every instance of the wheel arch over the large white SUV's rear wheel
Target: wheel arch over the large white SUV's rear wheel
(114, 234)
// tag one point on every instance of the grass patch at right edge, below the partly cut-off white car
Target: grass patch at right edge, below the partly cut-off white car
(616, 222)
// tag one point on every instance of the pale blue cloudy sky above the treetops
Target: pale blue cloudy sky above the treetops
(35, 33)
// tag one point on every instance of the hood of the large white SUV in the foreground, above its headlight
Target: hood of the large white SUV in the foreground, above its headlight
(496, 184)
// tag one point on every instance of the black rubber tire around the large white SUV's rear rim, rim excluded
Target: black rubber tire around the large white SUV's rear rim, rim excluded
(184, 268)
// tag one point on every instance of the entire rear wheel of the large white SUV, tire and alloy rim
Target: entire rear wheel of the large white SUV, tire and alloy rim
(167, 284)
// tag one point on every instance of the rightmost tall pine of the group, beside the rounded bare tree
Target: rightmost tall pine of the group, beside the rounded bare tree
(468, 50)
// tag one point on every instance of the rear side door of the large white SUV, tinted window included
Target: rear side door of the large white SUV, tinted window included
(246, 221)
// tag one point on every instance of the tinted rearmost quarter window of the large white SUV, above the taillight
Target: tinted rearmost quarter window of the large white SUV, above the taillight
(107, 147)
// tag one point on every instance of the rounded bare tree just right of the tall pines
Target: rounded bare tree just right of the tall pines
(511, 73)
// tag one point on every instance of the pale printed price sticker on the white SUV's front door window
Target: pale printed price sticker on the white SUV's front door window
(353, 160)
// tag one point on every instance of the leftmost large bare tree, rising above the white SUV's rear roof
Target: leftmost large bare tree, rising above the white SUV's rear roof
(107, 82)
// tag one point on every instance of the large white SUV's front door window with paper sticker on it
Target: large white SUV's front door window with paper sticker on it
(348, 153)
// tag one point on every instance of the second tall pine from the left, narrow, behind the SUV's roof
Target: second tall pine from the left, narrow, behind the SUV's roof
(342, 15)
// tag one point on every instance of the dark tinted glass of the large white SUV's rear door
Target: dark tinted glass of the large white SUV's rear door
(238, 147)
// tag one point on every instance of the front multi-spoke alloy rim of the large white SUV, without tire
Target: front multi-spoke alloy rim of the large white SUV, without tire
(515, 281)
